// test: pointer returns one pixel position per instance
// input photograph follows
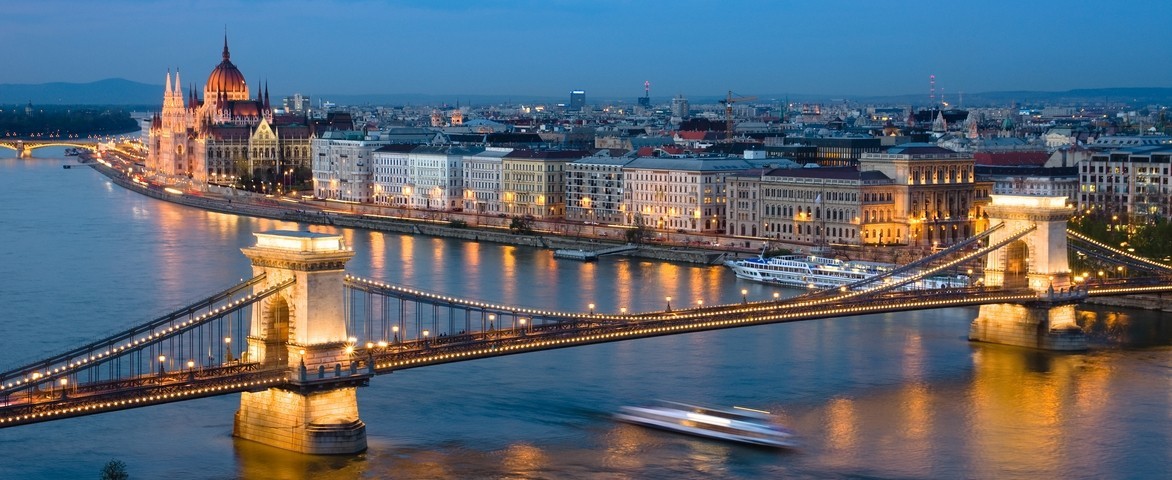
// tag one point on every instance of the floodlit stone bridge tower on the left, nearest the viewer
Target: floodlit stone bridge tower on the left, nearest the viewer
(304, 325)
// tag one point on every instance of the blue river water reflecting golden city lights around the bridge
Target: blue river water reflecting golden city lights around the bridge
(882, 396)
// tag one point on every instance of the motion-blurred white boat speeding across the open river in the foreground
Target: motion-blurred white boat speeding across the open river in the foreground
(740, 424)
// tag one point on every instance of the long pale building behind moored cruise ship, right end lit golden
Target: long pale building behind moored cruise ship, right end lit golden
(815, 207)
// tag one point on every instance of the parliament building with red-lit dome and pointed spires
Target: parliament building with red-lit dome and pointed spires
(227, 135)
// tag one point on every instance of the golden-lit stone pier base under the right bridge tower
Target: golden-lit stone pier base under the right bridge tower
(1042, 326)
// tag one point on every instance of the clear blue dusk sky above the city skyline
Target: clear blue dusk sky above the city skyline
(609, 49)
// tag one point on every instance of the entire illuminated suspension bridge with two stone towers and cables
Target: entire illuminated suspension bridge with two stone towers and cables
(301, 337)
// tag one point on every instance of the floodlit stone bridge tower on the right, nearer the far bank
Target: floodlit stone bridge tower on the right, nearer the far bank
(1037, 262)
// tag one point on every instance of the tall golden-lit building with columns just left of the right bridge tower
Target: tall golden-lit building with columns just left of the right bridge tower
(938, 197)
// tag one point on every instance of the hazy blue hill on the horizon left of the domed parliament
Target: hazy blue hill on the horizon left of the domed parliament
(111, 92)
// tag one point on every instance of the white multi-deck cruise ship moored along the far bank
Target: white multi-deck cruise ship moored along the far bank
(820, 272)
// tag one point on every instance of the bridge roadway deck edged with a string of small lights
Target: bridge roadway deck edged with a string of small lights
(565, 331)
